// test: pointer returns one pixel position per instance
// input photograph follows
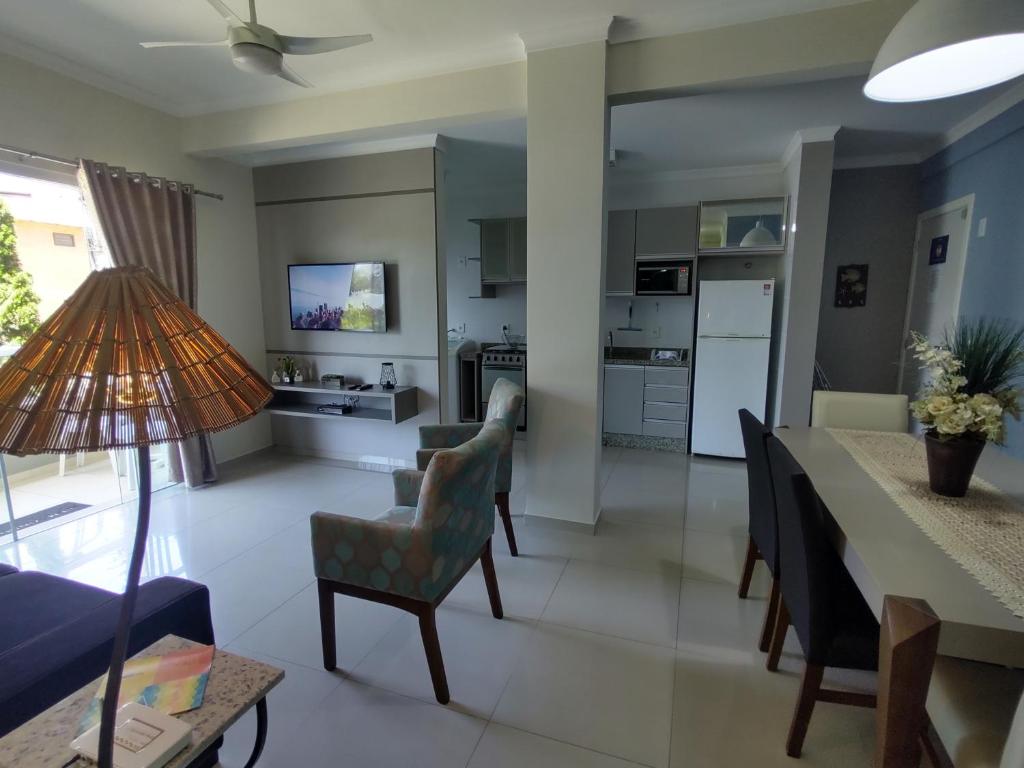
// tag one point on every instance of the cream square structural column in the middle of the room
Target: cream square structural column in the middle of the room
(567, 147)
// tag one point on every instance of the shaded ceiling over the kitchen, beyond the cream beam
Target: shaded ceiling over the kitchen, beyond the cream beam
(737, 129)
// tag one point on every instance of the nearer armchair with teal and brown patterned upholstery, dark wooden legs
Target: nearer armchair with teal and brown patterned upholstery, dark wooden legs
(413, 556)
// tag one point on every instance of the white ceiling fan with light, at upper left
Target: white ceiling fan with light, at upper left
(261, 51)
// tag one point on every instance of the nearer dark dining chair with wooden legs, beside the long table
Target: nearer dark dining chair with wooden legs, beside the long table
(834, 623)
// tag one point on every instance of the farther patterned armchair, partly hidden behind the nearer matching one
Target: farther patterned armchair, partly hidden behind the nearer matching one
(504, 404)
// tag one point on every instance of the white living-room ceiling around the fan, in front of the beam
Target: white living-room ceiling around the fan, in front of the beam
(98, 40)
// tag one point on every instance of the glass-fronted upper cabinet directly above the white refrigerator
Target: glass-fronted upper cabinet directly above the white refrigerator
(744, 227)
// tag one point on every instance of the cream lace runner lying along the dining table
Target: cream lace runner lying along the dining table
(984, 532)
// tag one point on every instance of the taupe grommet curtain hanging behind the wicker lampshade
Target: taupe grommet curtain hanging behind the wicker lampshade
(149, 222)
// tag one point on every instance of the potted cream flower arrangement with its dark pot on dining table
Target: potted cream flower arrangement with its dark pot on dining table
(971, 392)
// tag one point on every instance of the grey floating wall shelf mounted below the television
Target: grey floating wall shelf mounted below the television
(393, 406)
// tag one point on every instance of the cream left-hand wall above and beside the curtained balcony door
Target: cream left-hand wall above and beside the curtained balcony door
(52, 114)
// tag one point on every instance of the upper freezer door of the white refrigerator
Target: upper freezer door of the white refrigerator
(736, 308)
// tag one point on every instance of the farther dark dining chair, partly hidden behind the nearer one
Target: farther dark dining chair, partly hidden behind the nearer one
(762, 542)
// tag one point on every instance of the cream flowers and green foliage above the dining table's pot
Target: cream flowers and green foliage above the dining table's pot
(974, 377)
